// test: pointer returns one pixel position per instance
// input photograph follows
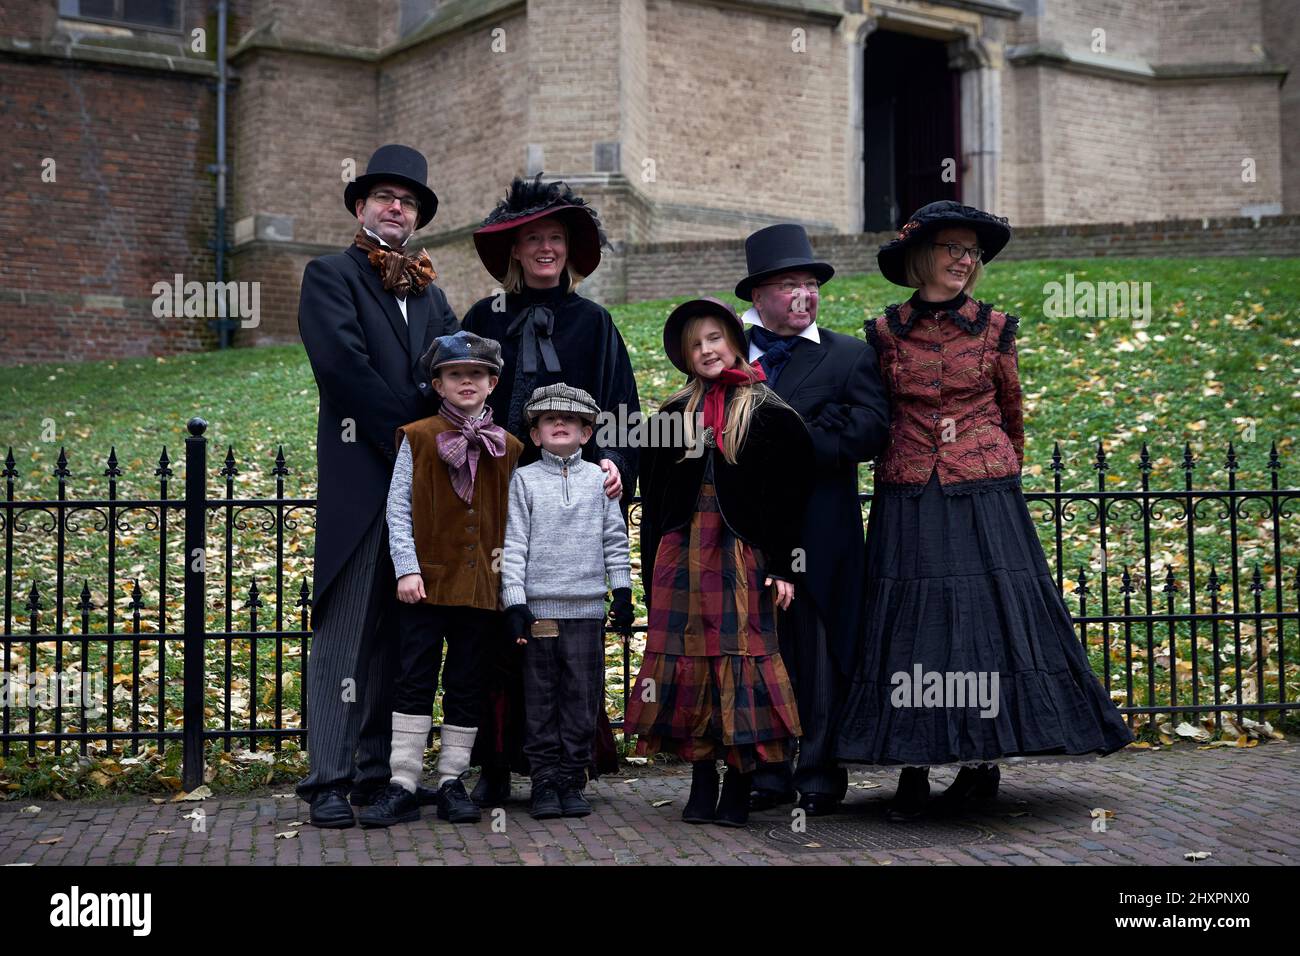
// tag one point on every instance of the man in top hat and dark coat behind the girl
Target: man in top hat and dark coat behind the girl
(834, 383)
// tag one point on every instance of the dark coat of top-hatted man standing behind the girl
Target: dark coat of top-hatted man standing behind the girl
(842, 371)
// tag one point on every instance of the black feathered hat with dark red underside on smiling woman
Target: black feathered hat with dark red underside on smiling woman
(530, 201)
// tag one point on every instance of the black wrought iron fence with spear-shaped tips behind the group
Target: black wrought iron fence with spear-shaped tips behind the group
(1185, 613)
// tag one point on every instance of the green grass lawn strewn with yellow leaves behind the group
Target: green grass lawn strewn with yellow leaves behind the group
(1217, 364)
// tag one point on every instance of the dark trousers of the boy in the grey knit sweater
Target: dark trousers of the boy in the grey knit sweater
(564, 691)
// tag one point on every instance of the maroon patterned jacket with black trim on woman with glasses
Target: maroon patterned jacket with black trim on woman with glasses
(955, 392)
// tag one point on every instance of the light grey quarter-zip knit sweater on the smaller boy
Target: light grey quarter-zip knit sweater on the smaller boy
(565, 539)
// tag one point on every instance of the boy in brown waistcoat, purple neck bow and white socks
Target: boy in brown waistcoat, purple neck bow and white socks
(447, 520)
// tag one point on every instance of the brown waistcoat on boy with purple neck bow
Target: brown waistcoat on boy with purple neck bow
(458, 544)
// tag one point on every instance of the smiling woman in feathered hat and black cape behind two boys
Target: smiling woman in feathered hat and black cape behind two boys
(540, 243)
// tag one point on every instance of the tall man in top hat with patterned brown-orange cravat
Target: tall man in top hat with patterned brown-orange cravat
(366, 317)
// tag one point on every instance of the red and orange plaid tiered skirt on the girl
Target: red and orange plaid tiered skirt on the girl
(712, 684)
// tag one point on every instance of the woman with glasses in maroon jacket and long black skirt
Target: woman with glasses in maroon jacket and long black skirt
(959, 594)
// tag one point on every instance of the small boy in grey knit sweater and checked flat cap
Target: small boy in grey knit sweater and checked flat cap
(565, 542)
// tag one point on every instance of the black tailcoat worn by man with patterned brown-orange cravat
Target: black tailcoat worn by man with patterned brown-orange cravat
(366, 361)
